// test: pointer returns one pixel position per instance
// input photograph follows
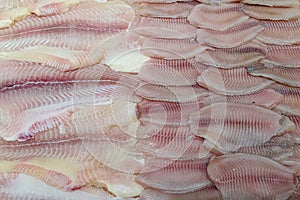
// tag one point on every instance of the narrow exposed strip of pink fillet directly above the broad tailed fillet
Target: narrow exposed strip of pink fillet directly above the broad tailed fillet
(267, 98)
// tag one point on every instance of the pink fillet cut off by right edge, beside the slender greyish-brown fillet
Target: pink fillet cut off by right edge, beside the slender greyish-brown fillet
(286, 55)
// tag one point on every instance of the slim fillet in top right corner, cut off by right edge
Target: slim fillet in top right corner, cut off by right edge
(271, 13)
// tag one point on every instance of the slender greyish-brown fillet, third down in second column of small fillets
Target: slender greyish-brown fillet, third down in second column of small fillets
(235, 57)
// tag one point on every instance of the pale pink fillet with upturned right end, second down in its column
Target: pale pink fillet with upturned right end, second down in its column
(232, 37)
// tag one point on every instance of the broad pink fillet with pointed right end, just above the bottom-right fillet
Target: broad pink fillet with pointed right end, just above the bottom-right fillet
(230, 126)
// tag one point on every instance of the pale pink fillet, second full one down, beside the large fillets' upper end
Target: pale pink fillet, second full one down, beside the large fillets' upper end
(178, 28)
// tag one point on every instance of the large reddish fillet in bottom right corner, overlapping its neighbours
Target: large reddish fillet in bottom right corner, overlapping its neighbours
(239, 176)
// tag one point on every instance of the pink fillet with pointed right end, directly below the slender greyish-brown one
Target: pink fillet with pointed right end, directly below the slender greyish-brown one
(223, 81)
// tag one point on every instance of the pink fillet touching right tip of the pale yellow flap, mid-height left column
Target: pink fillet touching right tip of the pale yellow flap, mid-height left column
(171, 72)
